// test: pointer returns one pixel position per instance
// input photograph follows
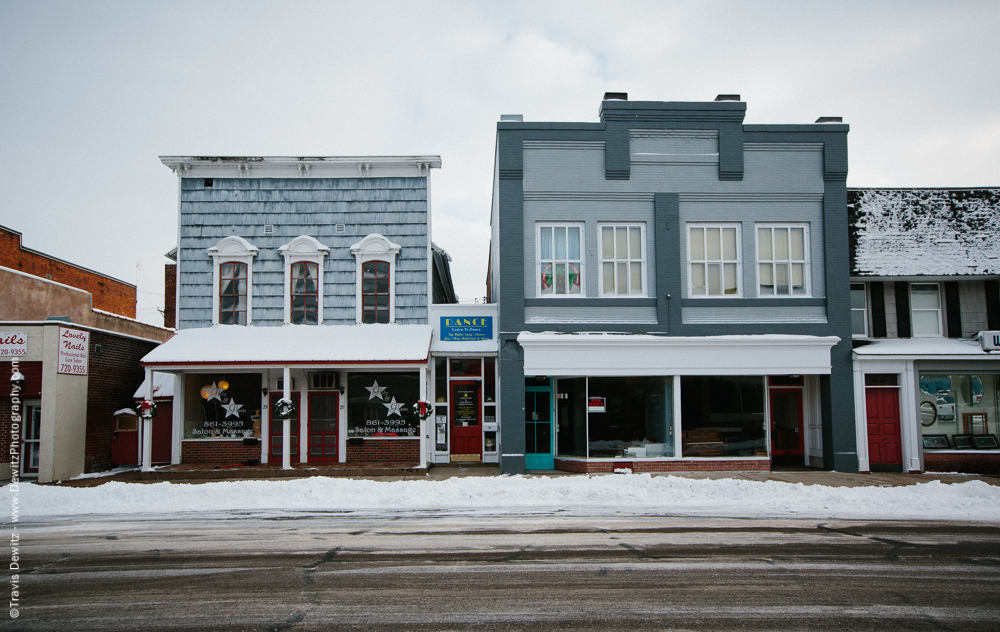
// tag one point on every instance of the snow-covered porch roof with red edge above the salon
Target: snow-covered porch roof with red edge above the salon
(234, 345)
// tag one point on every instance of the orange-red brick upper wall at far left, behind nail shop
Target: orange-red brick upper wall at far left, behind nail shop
(110, 295)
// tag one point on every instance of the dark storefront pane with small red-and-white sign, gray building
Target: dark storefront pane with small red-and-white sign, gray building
(636, 417)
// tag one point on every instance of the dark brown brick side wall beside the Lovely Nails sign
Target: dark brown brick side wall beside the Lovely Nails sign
(114, 376)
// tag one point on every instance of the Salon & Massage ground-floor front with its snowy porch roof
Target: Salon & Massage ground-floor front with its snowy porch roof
(359, 394)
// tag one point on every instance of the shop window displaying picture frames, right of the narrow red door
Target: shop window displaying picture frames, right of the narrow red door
(959, 411)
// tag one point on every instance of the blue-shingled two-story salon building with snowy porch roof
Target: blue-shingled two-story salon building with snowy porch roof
(303, 291)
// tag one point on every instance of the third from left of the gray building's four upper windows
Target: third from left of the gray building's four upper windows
(714, 260)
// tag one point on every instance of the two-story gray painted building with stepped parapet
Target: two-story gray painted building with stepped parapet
(673, 291)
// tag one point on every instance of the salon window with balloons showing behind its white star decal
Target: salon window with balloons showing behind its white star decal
(222, 405)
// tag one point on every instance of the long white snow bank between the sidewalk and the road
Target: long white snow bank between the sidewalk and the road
(612, 494)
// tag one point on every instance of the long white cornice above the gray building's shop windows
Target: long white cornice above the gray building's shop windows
(600, 354)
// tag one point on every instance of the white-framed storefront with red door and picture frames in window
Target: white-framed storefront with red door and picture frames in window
(929, 404)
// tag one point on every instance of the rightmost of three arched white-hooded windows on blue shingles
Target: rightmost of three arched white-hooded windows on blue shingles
(376, 274)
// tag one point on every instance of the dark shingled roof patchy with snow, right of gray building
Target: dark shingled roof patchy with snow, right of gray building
(924, 232)
